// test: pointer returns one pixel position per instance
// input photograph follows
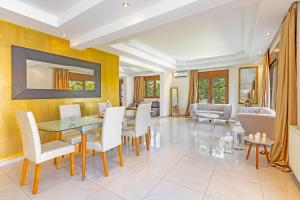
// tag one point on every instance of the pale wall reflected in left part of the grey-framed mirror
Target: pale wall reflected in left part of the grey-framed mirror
(39, 77)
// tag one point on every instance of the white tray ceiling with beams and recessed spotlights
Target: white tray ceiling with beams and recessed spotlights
(158, 35)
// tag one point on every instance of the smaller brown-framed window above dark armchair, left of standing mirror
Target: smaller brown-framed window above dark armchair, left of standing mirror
(151, 87)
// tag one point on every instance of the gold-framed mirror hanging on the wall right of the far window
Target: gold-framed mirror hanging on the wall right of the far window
(248, 85)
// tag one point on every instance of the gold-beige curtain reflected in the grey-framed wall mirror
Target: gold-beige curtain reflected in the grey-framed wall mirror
(61, 78)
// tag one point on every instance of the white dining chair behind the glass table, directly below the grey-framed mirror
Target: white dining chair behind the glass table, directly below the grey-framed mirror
(71, 136)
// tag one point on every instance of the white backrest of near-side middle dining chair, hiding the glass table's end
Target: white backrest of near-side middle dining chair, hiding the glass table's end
(112, 127)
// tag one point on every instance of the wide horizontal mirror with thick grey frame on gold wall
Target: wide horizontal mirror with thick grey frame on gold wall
(39, 74)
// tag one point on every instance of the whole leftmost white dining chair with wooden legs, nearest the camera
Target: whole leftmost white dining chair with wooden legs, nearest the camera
(36, 152)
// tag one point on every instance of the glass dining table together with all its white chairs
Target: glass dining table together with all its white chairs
(74, 134)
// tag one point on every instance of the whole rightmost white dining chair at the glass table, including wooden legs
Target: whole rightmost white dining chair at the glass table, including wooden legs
(141, 126)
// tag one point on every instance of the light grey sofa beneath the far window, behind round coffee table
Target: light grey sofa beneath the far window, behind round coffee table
(223, 110)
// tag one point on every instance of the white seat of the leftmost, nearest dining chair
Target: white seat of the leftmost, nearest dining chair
(55, 149)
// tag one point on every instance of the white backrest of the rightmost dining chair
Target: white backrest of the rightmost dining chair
(142, 119)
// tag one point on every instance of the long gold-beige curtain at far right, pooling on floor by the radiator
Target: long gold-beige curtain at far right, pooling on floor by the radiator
(286, 100)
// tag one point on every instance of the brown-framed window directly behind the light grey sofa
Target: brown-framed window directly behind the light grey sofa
(213, 87)
